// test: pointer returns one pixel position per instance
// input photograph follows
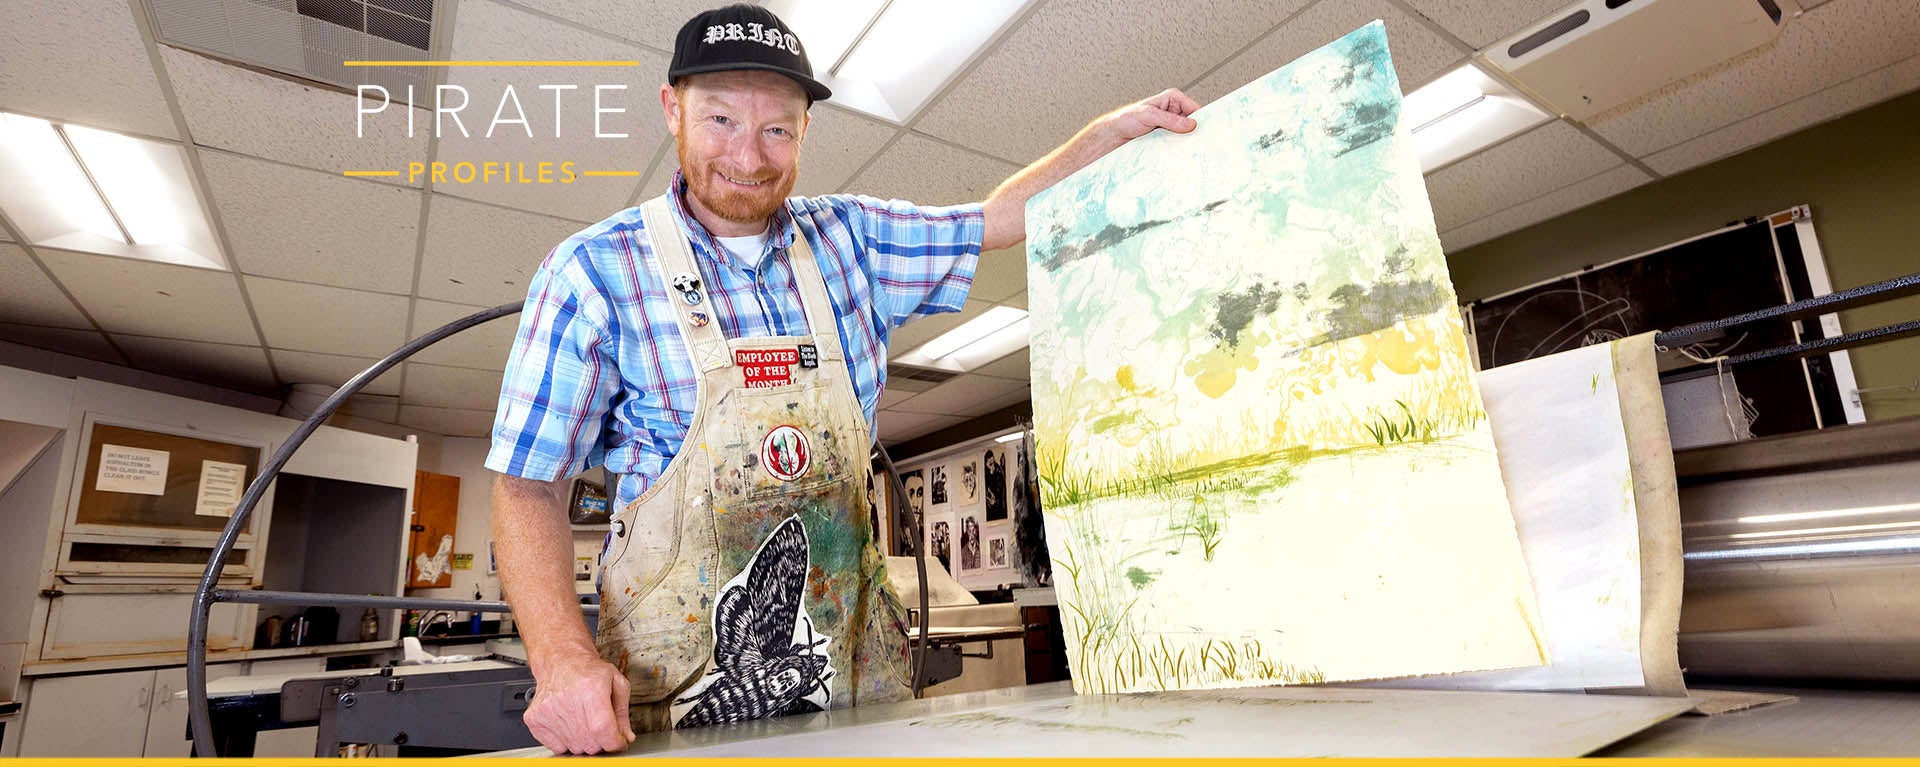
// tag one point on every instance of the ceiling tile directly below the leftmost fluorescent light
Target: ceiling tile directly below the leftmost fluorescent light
(155, 299)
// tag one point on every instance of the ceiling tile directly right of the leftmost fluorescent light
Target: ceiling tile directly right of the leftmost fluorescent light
(316, 228)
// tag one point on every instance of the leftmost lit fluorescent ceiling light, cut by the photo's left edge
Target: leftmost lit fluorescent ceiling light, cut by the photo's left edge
(105, 193)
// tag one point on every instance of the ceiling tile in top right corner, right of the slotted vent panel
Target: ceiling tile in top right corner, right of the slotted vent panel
(1817, 51)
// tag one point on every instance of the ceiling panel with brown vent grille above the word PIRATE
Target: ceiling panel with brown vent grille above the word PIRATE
(308, 39)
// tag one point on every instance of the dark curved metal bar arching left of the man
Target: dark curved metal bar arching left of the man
(208, 595)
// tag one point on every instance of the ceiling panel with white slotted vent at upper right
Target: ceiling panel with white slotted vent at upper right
(1598, 55)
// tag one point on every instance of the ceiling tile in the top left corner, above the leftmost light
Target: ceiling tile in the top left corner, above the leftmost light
(84, 62)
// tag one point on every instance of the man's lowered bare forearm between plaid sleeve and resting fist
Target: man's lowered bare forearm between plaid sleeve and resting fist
(537, 558)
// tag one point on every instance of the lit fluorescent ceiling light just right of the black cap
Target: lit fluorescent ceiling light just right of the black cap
(890, 57)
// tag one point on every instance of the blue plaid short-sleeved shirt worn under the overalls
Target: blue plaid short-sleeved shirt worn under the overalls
(602, 376)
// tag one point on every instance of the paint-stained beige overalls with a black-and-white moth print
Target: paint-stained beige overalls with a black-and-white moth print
(744, 583)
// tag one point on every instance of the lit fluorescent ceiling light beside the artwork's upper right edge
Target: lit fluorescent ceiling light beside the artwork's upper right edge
(1464, 112)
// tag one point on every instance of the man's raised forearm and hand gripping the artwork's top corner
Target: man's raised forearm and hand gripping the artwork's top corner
(1007, 207)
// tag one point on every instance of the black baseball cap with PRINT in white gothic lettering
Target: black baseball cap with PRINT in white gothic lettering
(744, 37)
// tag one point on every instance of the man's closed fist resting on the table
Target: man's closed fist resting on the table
(581, 706)
